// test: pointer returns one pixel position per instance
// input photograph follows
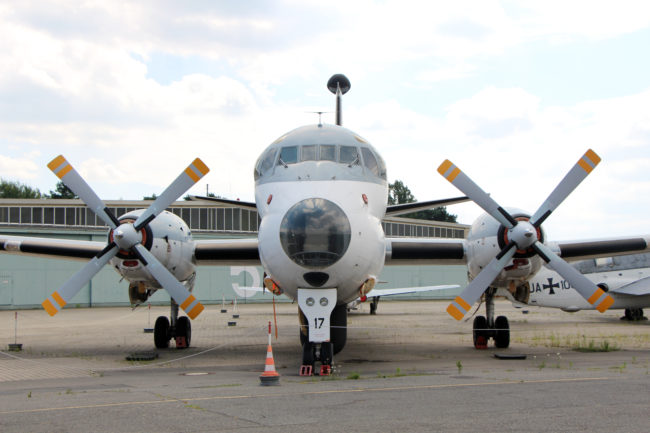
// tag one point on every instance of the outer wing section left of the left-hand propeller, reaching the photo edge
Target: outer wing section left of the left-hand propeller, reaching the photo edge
(52, 248)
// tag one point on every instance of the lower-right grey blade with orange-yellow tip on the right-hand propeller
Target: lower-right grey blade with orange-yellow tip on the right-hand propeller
(590, 291)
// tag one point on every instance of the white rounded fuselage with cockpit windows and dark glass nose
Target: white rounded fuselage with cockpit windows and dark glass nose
(321, 193)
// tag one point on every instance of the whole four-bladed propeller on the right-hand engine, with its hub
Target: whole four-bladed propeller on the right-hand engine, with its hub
(524, 235)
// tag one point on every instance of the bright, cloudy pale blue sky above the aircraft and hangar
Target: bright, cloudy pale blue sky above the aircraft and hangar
(512, 92)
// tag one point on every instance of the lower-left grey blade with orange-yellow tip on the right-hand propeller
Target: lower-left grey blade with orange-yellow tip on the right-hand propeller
(463, 302)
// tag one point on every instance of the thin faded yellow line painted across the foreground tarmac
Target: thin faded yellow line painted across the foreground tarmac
(293, 394)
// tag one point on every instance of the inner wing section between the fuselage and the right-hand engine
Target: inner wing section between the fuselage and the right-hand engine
(426, 251)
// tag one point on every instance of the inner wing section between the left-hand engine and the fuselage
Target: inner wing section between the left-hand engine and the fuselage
(226, 252)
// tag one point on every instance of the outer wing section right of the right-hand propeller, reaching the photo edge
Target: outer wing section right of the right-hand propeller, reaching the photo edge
(590, 249)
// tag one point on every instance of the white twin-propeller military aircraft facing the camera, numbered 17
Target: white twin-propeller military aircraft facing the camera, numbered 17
(321, 193)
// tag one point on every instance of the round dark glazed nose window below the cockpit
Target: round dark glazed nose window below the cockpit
(315, 233)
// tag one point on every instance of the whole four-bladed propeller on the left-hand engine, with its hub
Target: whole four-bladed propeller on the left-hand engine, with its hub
(126, 237)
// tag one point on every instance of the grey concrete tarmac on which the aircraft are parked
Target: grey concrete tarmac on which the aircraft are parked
(409, 368)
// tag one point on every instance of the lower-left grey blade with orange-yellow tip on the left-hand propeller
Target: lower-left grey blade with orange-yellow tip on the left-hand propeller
(61, 297)
